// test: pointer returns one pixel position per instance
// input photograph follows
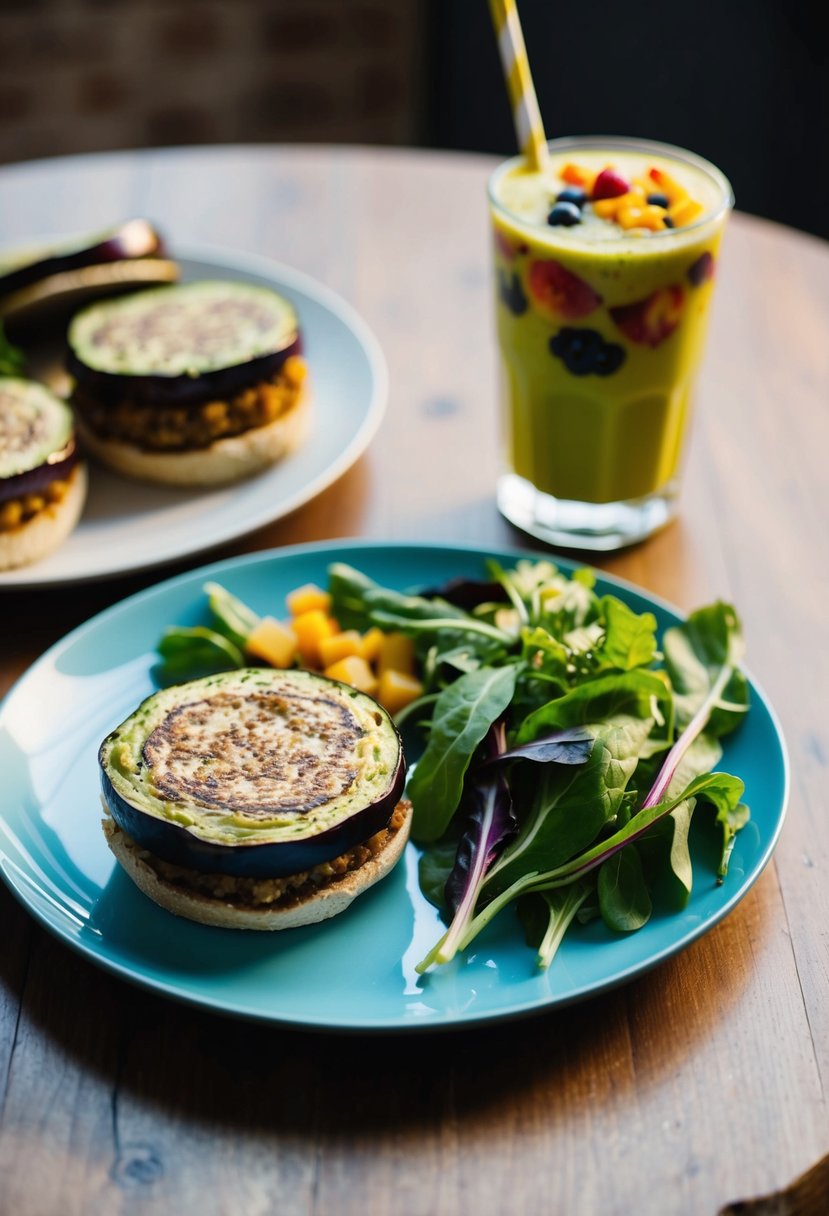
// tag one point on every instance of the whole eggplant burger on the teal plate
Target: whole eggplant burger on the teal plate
(256, 800)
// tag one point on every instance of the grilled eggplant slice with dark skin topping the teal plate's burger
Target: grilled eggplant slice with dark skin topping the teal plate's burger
(151, 773)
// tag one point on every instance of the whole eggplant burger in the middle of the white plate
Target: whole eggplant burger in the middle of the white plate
(198, 384)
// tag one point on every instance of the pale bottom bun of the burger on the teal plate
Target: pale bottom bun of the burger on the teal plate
(306, 907)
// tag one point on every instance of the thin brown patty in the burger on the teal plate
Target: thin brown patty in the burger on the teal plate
(263, 893)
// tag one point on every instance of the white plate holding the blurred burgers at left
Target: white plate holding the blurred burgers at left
(129, 527)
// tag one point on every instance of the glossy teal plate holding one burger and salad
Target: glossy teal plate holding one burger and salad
(356, 972)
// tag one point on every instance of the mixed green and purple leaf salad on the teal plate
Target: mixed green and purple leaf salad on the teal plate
(561, 746)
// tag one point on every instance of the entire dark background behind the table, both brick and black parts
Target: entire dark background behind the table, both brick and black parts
(746, 83)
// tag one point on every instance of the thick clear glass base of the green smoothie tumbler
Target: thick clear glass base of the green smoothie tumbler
(596, 526)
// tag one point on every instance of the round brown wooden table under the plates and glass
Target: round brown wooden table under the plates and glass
(702, 1083)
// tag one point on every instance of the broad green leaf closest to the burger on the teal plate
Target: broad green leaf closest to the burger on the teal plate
(463, 716)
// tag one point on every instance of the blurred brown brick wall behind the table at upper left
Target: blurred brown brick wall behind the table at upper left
(82, 76)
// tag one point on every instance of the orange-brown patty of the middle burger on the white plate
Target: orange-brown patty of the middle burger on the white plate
(183, 429)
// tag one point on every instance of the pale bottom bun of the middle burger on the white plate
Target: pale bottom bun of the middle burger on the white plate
(223, 463)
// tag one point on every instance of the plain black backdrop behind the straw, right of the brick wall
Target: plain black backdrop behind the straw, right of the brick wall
(745, 83)
